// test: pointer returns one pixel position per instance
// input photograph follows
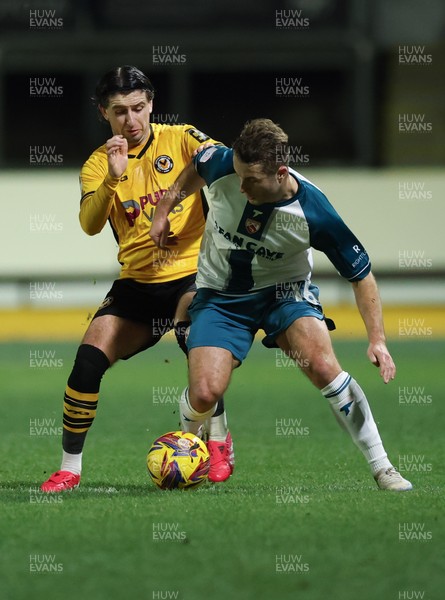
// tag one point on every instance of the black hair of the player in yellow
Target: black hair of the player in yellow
(120, 80)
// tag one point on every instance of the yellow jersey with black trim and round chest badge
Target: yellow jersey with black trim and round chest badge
(129, 203)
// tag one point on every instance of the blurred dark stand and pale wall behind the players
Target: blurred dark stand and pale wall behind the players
(358, 85)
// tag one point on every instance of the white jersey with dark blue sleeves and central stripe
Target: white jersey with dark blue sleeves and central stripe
(246, 248)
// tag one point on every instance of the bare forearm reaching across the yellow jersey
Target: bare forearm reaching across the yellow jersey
(187, 183)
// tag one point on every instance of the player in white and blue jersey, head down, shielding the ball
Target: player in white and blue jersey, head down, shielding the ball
(254, 272)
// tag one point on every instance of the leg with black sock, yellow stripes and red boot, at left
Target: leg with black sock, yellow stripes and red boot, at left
(107, 339)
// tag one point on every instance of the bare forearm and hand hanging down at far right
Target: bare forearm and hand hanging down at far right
(369, 304)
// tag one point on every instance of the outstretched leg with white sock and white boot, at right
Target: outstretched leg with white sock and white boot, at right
(307, 341)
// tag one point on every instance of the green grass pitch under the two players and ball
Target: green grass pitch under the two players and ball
(300, 518)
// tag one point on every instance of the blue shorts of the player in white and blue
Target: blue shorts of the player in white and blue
(231, 322)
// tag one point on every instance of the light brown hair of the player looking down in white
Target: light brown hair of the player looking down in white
(262, 141)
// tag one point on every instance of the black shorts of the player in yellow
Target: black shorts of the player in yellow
(153, 304)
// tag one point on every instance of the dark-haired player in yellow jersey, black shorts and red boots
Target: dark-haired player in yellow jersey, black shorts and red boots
(121, 183)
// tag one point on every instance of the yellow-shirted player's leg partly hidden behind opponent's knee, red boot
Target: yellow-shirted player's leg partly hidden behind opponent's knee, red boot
(214, 429)
